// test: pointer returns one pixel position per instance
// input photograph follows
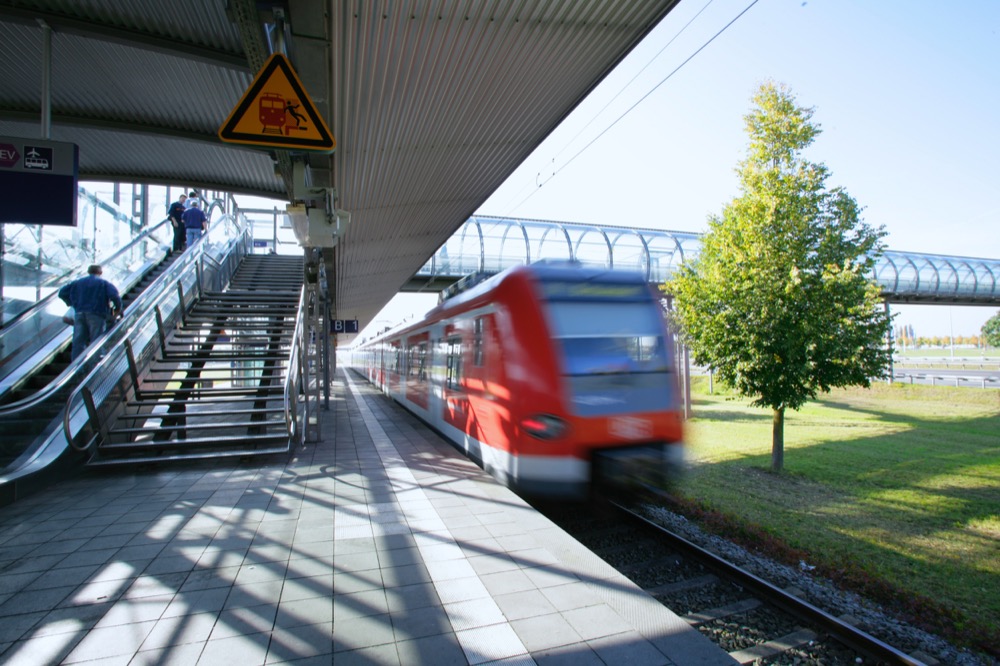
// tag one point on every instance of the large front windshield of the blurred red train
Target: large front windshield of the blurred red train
(614, 355)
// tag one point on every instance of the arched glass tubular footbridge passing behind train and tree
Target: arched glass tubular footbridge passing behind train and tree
(492, 244)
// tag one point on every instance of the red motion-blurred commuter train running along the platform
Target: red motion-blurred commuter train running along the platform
(538, 373)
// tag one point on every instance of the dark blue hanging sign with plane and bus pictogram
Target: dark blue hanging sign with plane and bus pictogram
(38, 181)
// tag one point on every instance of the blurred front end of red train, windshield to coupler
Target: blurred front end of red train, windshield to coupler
(620, 413)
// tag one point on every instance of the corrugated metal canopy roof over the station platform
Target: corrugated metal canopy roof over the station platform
(432, 104)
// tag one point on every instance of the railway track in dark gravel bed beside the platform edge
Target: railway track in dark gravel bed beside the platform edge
(755, 621)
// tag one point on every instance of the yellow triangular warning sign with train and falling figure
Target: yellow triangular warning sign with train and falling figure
(276, 111)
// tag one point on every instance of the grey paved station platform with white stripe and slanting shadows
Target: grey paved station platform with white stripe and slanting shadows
(379, 544)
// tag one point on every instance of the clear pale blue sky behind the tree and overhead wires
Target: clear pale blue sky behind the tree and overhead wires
(907, 95)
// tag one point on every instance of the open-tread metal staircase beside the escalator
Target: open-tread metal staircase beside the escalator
(215, 387)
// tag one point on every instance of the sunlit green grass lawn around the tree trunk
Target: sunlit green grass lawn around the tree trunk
(897, 484)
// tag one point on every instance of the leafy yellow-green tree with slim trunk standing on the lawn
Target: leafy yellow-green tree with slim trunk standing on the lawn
(780, 301)
